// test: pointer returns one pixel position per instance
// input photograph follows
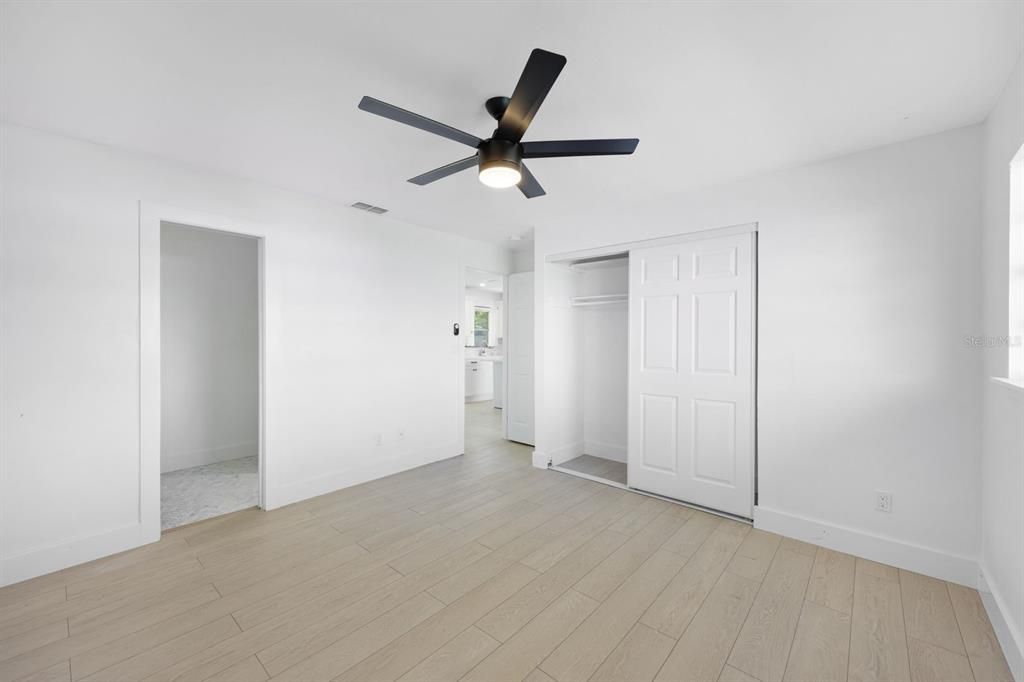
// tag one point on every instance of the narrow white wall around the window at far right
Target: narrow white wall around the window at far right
(1003, 459)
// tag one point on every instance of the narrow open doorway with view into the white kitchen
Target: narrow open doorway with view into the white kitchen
(484, 323)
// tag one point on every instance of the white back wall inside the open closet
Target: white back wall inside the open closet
(604, 344)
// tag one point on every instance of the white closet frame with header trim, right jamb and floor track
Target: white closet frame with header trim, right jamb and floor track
(698, 236)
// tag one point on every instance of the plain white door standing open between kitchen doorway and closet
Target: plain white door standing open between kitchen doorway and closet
(520, 355)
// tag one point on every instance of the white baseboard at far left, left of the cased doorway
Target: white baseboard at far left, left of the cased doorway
(70, 552)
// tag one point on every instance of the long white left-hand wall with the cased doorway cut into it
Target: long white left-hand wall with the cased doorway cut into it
(70, 328)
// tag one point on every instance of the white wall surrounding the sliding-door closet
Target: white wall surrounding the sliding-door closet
(869, 279)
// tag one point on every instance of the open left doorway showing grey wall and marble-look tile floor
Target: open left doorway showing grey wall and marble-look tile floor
(210, 373)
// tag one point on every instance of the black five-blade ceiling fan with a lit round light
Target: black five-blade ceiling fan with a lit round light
(500, 157)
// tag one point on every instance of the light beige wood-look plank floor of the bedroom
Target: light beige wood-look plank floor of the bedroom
(482, 568)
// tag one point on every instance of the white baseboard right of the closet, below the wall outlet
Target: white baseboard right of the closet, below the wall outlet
(925, 561)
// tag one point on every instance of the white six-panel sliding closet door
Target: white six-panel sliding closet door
(692, 372)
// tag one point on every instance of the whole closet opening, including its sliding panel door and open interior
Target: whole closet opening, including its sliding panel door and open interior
(650, 367)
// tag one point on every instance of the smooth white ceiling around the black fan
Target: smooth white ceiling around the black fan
(713, 91)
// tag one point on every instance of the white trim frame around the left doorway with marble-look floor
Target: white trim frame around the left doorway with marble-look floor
(151, 216)
